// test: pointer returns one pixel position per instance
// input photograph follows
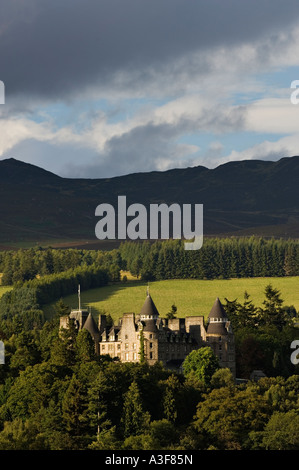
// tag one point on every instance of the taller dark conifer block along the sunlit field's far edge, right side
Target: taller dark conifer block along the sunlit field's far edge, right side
(219, 258)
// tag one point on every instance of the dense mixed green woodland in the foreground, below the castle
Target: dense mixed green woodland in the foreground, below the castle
(55, 394)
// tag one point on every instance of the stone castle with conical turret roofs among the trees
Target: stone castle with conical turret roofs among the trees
(159, 339)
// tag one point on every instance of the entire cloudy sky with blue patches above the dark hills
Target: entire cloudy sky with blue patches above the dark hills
(104, 88)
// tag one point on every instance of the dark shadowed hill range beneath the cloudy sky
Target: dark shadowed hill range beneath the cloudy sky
(239, 198)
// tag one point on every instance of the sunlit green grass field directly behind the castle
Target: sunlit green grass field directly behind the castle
(191, 297)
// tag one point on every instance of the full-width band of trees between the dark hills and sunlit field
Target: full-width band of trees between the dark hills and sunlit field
(219, 258)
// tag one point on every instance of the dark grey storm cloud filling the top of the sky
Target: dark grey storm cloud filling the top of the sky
(59, 47)
